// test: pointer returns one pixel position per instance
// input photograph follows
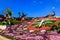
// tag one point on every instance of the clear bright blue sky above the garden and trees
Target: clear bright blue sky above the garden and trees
(33, 8)
